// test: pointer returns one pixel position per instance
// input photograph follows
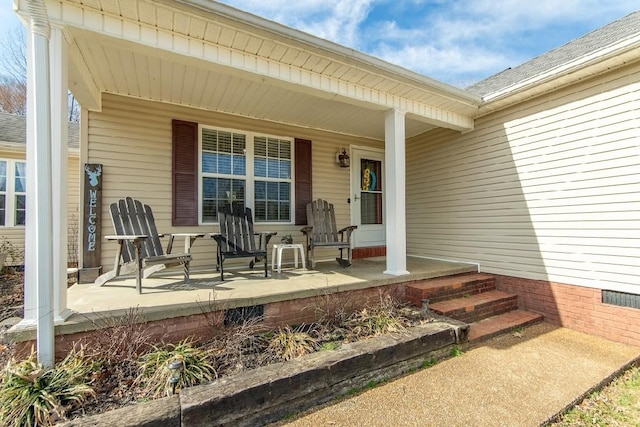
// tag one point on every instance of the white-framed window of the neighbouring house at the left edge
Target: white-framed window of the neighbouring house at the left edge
(13, 193)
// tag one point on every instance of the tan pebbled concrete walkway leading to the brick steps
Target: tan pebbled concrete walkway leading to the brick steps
(522, 379)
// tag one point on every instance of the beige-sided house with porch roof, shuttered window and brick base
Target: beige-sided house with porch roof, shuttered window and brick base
(531, 174)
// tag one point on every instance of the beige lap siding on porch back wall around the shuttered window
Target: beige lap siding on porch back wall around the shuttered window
(132, 139)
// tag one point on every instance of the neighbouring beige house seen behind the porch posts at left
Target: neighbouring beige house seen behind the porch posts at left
(13, 207)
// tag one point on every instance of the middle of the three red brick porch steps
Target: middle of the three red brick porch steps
(476, 307)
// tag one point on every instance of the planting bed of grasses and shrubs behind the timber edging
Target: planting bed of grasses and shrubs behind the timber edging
(122, 366)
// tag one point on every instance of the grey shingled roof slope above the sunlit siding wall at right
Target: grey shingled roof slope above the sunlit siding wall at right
(603, 37)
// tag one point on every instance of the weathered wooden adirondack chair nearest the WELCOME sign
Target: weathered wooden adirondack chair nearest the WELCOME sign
(139, 246)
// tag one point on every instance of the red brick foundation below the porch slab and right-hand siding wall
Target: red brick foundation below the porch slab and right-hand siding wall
(564, 305)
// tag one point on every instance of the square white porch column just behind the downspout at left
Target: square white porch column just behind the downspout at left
(59, 169)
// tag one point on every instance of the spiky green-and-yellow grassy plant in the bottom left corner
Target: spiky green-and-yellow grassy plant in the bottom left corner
(31, 395)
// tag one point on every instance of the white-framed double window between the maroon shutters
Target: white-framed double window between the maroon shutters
(245, 169)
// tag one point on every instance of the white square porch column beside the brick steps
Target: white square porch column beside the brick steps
(396, 224)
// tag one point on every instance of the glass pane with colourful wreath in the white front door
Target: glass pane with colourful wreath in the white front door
(371, 191)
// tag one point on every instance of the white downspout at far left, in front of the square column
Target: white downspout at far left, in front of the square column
(39, 174)
